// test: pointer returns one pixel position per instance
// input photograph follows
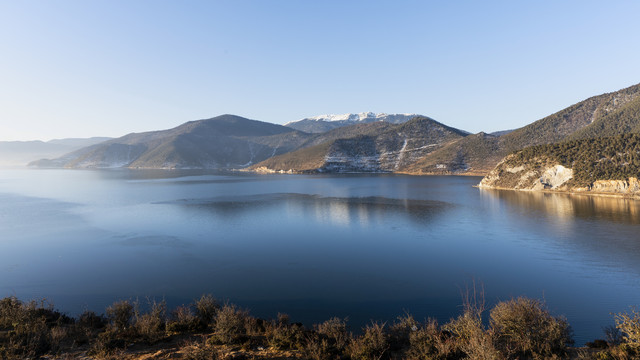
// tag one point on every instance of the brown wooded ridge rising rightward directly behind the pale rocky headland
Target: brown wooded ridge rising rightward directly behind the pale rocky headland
(604, 115)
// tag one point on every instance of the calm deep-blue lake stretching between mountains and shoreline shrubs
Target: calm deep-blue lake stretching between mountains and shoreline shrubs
(362, 246)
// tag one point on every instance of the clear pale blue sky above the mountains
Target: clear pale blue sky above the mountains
(108, 67)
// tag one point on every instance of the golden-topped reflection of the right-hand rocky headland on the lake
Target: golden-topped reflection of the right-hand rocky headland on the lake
(604, 230)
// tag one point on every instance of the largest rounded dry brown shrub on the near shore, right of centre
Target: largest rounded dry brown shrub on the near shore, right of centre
(523, 327)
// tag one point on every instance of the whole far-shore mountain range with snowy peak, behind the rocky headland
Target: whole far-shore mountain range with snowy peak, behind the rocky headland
(365, 142)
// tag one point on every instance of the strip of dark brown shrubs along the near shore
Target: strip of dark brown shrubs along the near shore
(520, 328)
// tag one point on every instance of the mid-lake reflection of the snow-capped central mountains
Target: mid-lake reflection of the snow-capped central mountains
(342, 211)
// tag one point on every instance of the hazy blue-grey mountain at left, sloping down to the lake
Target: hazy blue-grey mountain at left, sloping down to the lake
(223, 142)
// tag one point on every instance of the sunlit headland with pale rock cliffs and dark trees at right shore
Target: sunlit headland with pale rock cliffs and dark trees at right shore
(598, 166)
